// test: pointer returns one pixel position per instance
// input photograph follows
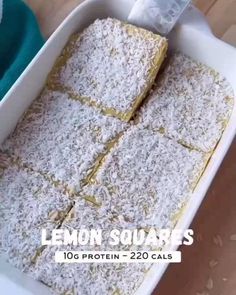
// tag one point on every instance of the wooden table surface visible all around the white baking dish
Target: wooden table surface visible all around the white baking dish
(209, 266)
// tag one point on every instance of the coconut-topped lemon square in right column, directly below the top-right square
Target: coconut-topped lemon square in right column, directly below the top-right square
(148, 177)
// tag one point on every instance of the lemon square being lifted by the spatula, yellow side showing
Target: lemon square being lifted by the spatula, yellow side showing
(111, 65)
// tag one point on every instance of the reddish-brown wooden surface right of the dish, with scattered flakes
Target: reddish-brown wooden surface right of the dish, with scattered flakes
(213, 254)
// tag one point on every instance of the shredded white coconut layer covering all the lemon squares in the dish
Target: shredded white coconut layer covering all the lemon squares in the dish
(141, 181)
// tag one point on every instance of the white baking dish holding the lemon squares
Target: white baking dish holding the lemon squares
(200, 45)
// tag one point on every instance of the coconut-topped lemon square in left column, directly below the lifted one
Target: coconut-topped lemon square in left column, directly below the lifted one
(62, 138)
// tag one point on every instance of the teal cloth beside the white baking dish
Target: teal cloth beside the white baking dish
(20, 40)
